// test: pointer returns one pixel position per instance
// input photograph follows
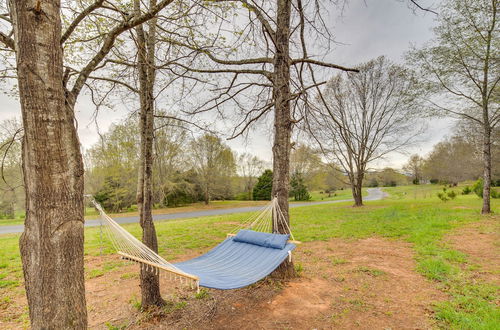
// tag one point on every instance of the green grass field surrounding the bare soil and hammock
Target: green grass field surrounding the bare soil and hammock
(412, 213)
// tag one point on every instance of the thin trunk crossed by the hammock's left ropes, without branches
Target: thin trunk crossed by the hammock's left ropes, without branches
(150, 284)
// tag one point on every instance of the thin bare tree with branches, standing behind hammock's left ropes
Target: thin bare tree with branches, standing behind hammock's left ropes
(124, 72)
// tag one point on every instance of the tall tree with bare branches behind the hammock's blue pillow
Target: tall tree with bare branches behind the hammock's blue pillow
(270, 74)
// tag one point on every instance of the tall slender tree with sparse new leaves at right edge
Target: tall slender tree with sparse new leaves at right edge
(460, 67)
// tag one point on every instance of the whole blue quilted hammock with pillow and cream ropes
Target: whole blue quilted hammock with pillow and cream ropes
(250, 253)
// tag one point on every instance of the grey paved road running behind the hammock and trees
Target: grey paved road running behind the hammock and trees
(373, 194)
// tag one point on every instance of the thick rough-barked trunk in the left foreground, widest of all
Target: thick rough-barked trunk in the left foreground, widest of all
(52, 242)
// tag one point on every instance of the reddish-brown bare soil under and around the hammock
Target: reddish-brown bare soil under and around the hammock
(365, 284)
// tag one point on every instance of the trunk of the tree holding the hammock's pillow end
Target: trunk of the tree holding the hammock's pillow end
(282, 124)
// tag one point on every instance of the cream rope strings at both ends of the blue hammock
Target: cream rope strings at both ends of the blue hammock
(130, 248)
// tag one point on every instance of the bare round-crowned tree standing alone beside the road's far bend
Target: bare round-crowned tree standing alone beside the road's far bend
(364, 116)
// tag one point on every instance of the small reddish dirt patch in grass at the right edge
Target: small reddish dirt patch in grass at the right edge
(481, 242)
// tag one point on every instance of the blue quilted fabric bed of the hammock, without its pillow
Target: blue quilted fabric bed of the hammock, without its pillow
(233, 264)
